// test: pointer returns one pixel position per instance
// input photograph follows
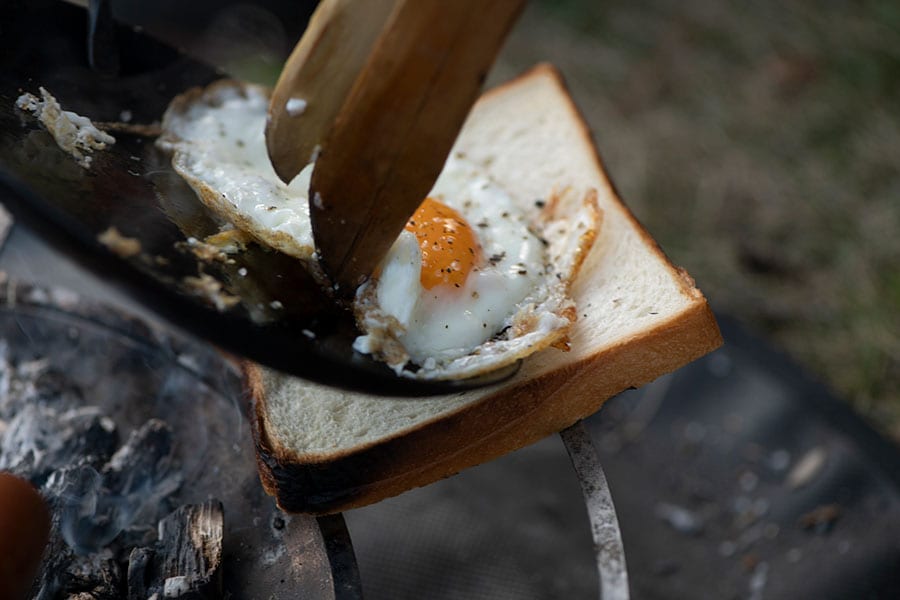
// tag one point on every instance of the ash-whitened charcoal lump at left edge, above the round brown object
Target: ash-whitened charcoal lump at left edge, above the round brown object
(40, 440)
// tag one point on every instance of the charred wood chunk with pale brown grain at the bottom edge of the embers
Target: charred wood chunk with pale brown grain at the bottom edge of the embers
(186, 561)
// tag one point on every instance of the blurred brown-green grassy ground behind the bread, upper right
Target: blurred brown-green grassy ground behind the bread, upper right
(758, 142)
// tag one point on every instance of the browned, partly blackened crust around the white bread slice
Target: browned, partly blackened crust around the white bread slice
(502, 420)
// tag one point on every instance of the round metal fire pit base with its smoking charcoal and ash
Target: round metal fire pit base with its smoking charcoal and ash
(137, 442)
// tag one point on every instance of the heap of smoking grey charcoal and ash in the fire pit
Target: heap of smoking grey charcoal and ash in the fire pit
(116, 521)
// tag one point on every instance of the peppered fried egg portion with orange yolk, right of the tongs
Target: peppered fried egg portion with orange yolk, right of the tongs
(475, 282)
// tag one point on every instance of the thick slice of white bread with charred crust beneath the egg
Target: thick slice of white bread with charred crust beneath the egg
(322, 450)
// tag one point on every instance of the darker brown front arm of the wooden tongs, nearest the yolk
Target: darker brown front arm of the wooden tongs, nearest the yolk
(393, 133)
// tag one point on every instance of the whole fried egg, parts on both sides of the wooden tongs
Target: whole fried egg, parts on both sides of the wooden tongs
(477, 280)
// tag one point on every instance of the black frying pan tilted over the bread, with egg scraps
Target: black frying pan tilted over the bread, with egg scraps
(283, 320)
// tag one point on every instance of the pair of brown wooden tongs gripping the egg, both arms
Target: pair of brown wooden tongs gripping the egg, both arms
(381, 151)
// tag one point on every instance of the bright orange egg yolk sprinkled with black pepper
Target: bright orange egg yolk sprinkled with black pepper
(449, 247)
